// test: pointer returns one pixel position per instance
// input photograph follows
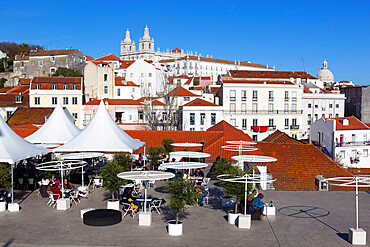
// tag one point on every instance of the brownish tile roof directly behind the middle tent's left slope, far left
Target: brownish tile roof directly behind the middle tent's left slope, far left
(30, 115)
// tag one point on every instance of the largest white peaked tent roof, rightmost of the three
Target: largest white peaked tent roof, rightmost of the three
(102, 135)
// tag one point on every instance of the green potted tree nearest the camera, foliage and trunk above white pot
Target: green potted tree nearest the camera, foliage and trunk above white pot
(182, 194)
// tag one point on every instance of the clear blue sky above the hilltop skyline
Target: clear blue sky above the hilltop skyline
(275, 33)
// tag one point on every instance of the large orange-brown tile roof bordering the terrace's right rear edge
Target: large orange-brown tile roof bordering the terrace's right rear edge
(297, 165)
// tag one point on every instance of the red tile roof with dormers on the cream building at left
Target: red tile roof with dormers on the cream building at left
(47, 82)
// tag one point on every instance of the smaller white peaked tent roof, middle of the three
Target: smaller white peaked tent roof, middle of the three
(58, 129)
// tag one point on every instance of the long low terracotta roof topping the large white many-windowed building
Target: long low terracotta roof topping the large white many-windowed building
(270, 74)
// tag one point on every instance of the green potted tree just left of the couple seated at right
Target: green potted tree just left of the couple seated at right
(234, 189)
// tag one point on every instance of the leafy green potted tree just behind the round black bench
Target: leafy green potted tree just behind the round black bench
(121, 162)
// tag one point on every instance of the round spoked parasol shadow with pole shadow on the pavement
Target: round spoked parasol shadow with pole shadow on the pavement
(310, 212)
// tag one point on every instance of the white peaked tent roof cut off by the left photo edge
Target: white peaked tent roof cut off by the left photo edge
(14, 148)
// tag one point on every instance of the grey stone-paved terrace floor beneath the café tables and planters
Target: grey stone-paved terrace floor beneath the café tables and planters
(297, 223)
